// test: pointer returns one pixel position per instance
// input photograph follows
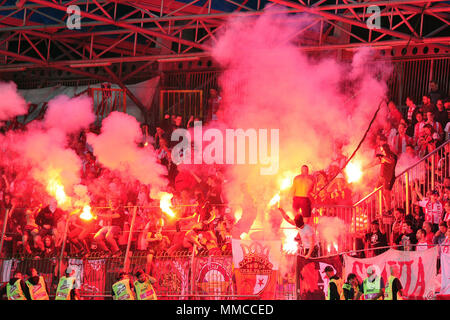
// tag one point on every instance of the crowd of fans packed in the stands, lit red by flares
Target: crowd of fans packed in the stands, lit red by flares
(35, 225)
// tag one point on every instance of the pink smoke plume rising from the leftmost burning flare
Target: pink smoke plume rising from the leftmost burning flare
(43, 147)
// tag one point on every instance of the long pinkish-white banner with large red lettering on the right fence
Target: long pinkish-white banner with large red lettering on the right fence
(417, 269)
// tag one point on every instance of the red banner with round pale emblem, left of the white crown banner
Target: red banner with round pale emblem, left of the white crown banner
(213, 276)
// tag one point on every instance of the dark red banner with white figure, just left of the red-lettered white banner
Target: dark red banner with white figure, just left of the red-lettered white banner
(313, 282)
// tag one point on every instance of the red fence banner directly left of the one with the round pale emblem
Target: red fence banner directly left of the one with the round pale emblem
(172, 277)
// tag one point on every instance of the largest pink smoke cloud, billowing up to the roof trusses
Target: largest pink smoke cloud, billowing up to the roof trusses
(270, 83)
